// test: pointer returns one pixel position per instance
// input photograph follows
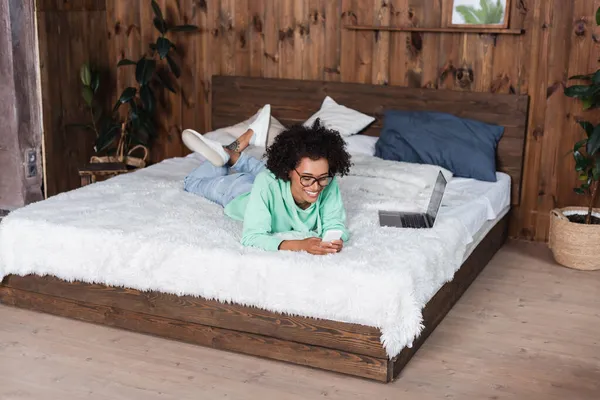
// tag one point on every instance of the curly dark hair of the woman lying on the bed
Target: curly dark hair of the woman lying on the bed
(315, 142)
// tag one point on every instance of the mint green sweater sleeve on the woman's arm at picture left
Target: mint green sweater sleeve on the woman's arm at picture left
(258, 219)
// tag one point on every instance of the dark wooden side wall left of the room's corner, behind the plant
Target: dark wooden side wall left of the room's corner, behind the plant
(70, 33)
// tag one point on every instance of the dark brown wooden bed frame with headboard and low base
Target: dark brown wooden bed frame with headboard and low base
(335, 346)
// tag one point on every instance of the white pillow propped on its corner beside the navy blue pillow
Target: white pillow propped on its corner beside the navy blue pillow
(340, 118)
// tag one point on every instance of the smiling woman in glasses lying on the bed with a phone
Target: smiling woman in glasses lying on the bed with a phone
(295, 194)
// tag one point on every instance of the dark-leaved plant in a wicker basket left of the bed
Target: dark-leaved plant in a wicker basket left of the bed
(118, 136)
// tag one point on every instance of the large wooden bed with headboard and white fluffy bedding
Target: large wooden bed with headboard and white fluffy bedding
(364, 314)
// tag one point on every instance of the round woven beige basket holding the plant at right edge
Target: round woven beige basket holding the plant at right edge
(574, 245)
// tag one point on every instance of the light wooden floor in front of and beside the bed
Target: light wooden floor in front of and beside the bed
(526, 329)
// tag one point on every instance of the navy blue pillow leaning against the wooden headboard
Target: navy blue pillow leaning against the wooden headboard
(464, 146)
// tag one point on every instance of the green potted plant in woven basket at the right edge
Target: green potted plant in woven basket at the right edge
(575, 231)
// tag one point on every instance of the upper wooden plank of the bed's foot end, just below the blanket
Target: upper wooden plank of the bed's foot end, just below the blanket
(342, 336)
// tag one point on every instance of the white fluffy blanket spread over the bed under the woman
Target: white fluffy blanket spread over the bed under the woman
(143, 231)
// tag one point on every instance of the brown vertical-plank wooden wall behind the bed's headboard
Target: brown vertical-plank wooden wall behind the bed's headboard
(305, 39)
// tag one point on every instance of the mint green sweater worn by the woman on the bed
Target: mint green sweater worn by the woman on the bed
(270, 209)
